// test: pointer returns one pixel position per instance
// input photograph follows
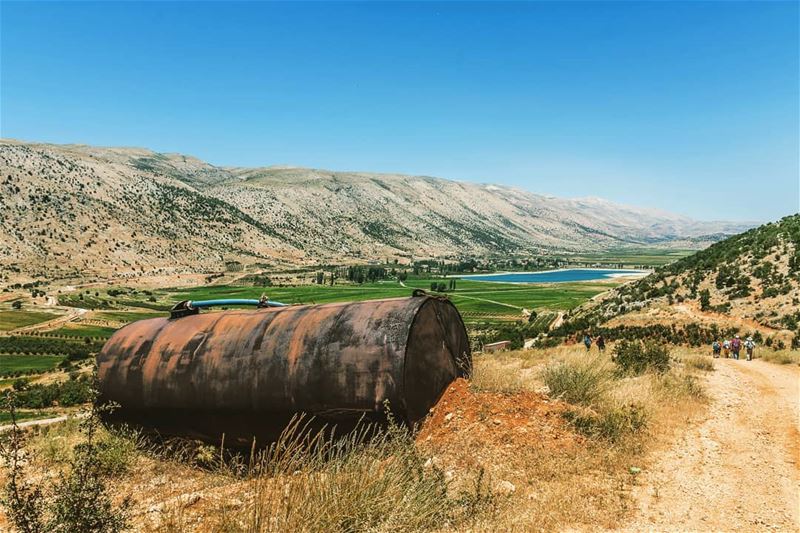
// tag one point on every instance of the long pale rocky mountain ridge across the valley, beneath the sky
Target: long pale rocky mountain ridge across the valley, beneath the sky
(70, 210)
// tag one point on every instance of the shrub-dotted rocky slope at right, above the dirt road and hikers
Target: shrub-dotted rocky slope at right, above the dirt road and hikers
(753, 276)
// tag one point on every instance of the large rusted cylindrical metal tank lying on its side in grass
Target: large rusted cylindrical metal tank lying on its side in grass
(245, 373)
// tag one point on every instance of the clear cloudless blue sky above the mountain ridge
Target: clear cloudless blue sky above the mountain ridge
(690, 107)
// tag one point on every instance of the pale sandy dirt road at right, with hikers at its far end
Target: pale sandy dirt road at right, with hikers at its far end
(737, 469)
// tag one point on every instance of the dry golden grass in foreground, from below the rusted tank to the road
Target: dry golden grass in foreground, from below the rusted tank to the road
(545, 474)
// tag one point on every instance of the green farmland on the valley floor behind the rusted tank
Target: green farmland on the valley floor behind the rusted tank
(489, 309)
